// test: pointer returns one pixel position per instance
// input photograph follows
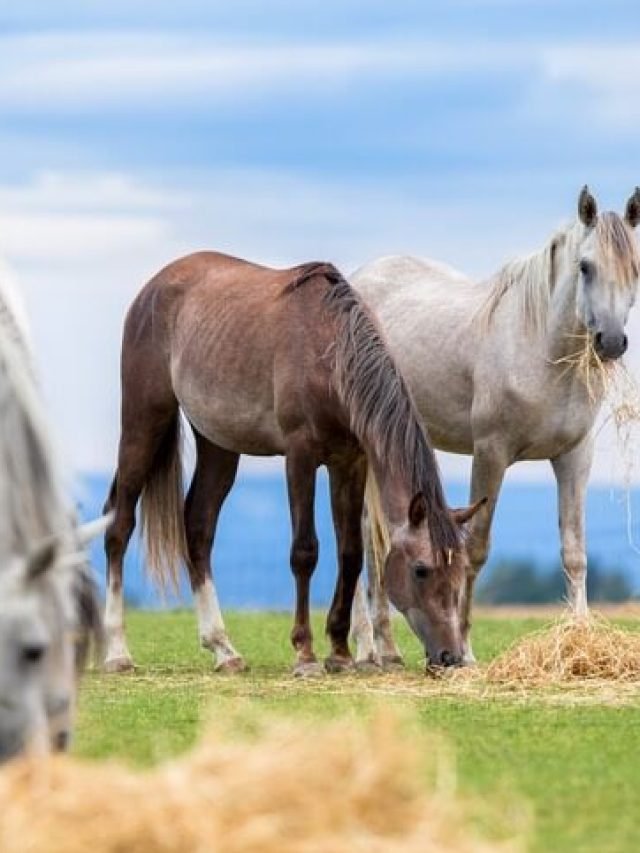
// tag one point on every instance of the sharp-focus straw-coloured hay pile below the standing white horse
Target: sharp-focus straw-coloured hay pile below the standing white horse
(571, 649)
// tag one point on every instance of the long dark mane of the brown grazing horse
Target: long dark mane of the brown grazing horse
(379, 402)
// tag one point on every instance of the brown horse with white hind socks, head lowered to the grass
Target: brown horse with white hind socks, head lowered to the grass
(265, 362)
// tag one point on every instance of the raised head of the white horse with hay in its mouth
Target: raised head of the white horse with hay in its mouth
(608, 266)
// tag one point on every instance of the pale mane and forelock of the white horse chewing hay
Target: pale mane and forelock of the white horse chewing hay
(530, 279)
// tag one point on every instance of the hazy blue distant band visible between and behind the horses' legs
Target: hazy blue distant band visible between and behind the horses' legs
(251, 554)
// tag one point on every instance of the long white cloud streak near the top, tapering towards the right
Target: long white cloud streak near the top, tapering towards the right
(91, 71)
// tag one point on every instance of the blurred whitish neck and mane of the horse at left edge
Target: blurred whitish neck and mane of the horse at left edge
(33, 504)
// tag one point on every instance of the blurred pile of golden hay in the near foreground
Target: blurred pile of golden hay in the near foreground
(343, 788)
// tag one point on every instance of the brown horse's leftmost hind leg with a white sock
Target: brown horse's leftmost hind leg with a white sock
(140, 442)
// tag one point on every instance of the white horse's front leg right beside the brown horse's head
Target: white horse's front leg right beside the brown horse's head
(489, 465)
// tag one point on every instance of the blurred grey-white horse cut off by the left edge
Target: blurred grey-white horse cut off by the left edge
(48, 605)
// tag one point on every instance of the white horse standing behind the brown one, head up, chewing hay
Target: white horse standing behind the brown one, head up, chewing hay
(501, 371)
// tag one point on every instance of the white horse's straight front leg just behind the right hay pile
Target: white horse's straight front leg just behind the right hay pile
(572, 474)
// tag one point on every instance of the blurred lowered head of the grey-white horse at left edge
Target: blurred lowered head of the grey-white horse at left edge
(48, 608)
